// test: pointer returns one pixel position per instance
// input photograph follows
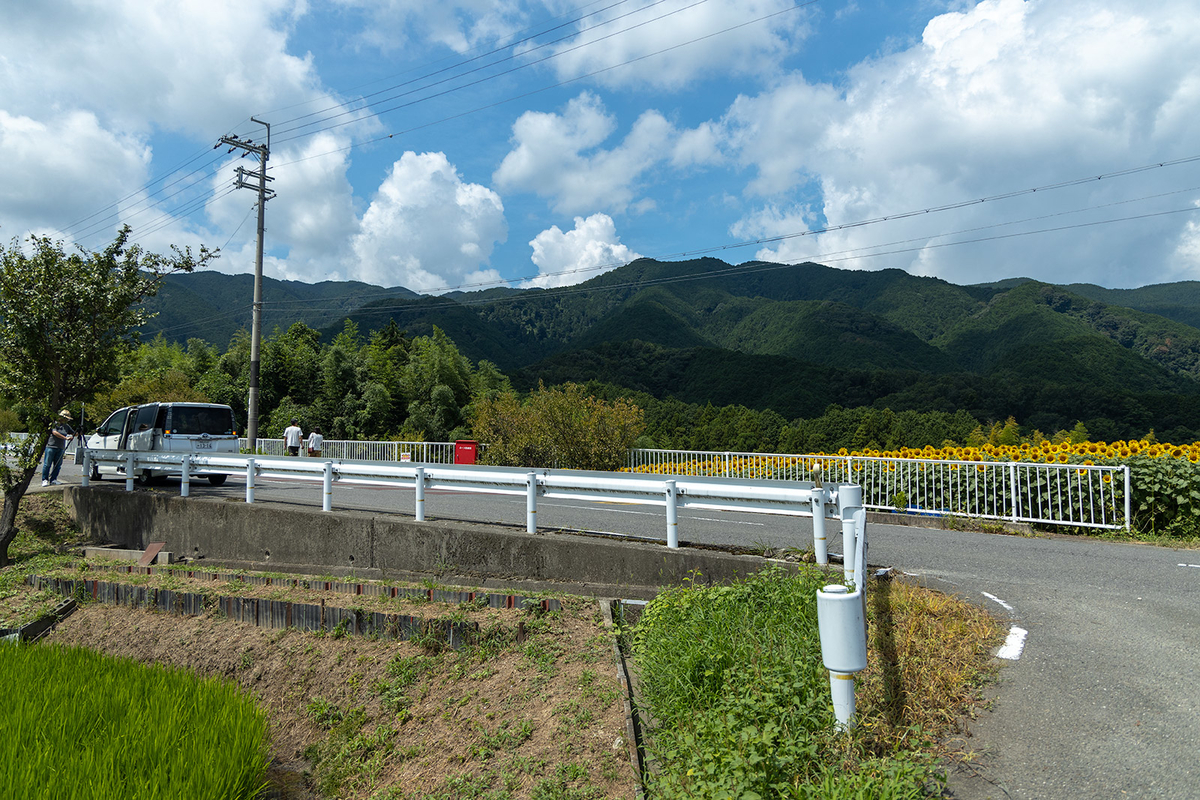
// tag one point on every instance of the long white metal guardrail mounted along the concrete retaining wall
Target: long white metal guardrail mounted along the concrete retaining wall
(790, 498)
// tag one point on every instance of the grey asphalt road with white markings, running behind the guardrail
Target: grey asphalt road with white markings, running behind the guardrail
(1103, 697)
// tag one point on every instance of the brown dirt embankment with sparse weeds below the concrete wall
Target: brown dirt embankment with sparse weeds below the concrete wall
(533, 709)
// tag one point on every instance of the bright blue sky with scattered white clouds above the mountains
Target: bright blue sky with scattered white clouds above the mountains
(471, 143)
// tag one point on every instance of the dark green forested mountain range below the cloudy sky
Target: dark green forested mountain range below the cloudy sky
(794, 339)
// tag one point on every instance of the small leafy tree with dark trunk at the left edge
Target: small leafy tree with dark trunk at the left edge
(67, 320)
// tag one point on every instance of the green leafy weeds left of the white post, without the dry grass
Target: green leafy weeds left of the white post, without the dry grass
(734, 681)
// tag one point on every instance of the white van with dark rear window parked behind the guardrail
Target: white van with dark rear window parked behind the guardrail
(201, 429)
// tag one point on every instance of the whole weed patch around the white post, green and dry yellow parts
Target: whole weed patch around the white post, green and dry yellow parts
(734, 681)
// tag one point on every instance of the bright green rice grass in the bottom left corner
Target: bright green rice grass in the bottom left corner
(79, 724)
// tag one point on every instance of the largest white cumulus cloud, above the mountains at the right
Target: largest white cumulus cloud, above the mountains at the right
(1005, 95)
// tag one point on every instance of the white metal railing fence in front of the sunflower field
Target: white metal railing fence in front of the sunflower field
(1061, 495)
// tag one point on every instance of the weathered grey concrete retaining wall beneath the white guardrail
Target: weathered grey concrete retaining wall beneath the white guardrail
(274, 538)
